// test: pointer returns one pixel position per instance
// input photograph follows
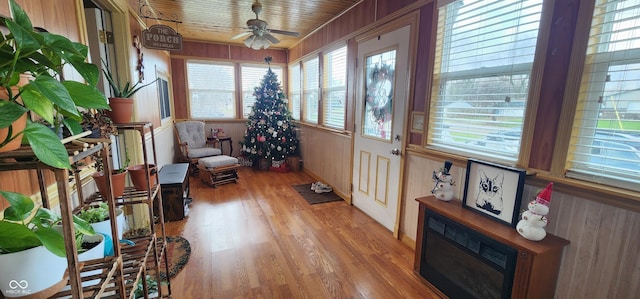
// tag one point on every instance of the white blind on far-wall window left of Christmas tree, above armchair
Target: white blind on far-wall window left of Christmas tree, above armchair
(211, 90)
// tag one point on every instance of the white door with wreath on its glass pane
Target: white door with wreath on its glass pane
(381, 99)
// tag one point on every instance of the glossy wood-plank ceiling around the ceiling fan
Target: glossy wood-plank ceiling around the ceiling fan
(219, 20)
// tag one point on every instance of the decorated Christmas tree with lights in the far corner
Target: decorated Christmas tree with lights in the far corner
(269, 133)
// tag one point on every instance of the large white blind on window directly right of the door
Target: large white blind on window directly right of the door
(484, 57)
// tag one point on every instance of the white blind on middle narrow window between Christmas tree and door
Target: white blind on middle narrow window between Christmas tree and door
(311, 73)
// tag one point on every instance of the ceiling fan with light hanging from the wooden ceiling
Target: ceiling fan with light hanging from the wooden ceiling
(259, 36)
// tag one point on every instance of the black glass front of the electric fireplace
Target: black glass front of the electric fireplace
(463, 263)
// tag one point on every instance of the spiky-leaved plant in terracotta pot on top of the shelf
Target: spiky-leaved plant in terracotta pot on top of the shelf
(121, 102)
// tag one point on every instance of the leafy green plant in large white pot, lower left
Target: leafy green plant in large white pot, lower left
(31, 249)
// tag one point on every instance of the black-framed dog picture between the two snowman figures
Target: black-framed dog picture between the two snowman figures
(494, 190)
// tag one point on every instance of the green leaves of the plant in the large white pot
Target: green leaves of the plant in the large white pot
(24, 226)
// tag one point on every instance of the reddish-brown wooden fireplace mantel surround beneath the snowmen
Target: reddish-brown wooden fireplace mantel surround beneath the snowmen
(537, 265)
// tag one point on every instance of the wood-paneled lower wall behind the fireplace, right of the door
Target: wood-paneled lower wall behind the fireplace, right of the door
(602, 260)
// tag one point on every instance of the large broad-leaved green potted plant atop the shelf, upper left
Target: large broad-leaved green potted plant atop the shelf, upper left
(38, 57)
